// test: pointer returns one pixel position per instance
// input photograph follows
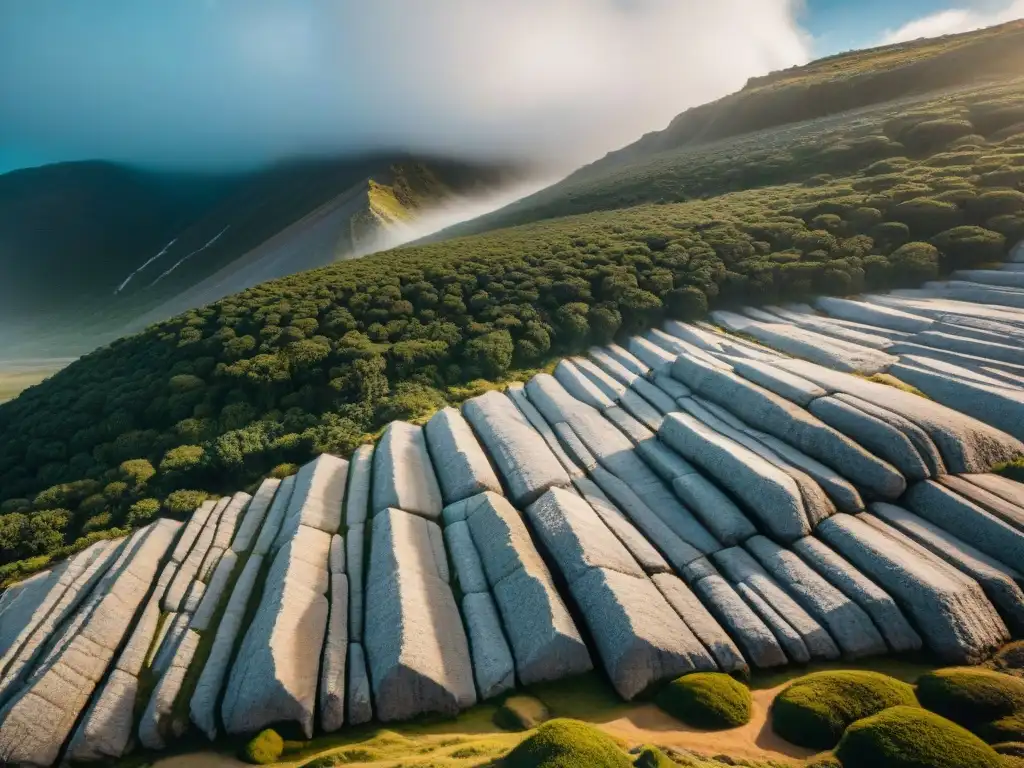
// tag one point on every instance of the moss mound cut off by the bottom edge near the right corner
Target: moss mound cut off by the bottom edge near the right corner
(912, 738)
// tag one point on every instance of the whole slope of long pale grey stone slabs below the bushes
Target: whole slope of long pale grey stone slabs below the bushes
(697, 500)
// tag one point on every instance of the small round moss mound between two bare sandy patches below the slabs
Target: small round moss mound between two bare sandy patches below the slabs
(707, 700)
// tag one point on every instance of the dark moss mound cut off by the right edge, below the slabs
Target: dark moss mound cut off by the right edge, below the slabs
(985, 702)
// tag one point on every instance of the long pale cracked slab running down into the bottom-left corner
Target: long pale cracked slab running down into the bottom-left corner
(39, 719)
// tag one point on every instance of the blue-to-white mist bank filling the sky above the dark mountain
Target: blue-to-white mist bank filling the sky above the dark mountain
(223, 84)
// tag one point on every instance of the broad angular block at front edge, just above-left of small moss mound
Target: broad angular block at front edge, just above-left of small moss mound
(641, 638)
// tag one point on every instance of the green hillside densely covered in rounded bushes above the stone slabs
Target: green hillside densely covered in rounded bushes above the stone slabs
(221, 397)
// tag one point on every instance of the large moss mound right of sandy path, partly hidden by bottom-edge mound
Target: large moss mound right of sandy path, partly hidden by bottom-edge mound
(816, 710)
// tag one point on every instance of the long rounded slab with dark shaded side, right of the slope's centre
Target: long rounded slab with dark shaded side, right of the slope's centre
(787, 421)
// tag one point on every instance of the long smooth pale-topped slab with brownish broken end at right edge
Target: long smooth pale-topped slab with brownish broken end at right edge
(967, 445)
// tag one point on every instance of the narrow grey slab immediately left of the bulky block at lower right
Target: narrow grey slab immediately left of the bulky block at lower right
(899, 633)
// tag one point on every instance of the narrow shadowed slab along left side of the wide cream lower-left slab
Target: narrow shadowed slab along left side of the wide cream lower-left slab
(211, 681)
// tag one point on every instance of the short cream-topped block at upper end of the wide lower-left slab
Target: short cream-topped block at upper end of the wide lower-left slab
(317, 499)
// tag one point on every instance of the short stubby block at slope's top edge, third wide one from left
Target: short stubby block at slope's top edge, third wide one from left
(462, 467)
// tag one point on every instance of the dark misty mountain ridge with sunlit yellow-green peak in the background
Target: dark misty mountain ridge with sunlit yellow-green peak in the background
(89, 248)
